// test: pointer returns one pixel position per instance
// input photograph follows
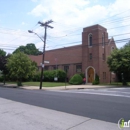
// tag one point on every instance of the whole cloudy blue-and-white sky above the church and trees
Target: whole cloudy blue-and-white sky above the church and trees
(69, 18)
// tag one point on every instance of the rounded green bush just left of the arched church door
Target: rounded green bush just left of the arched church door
(76, 79)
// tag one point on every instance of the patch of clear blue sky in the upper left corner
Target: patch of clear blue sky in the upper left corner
(15, 13)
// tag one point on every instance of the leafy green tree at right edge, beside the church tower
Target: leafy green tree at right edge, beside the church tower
(119, 62)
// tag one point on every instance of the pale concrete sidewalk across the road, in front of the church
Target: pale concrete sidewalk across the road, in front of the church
(86, 86)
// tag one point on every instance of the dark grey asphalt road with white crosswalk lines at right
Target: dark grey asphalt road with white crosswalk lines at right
(103, 104)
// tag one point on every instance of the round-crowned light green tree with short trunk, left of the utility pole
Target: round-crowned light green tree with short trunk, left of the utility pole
(20, 66)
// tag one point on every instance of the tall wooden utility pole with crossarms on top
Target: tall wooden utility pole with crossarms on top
(43, 54)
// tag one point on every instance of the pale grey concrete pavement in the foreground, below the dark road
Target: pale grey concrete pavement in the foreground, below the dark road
(19, 116)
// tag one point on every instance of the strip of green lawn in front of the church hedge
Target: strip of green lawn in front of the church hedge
(45, 84)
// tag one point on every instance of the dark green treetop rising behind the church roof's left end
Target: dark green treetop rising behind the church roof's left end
(29, 49)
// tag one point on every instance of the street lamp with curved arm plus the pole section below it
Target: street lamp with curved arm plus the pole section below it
(43, 56)
